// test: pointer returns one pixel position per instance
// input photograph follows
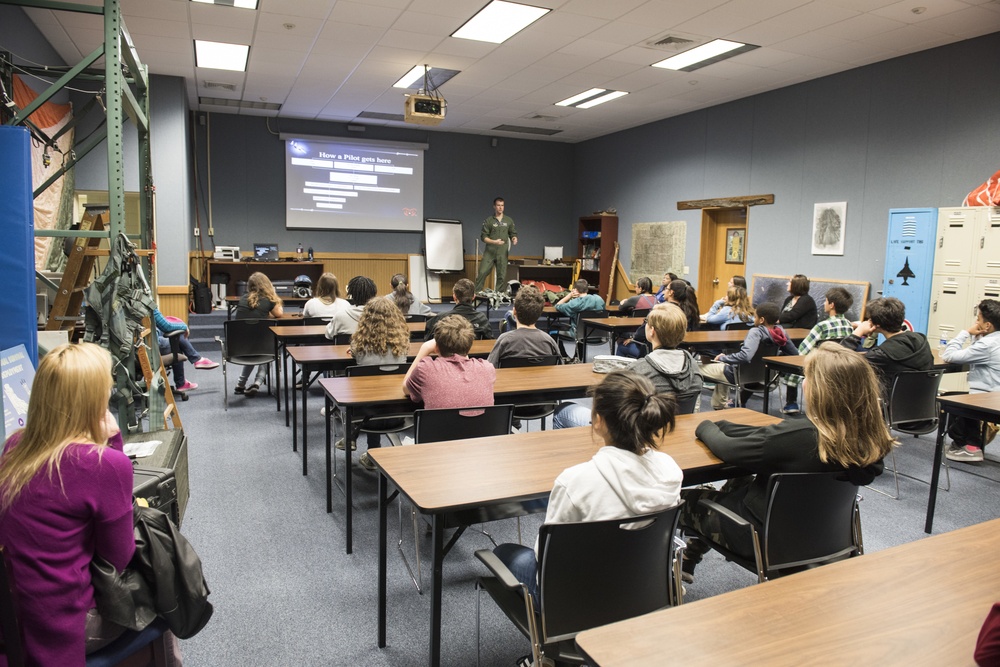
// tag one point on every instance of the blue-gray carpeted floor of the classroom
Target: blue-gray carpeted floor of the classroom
(286, 594)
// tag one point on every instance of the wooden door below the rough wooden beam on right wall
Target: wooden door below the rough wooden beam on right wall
(723, 241)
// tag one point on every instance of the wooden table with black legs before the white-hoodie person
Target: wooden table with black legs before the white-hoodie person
(460, 479)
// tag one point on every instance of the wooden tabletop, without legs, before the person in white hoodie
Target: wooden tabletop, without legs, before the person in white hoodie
(462, 474)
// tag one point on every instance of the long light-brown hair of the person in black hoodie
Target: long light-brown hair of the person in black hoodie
(842, 401)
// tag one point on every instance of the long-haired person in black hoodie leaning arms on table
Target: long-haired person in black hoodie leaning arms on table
(843, 431)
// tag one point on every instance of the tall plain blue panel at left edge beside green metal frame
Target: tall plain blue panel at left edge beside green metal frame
(17, 252)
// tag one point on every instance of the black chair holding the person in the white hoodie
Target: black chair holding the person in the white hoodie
(590, 574)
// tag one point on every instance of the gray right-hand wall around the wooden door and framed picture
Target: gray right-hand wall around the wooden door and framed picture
(920, 130)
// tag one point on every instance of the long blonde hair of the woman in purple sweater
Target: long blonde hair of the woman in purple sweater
(69, 399)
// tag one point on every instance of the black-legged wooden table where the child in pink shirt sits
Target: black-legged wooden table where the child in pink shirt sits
(382, 396)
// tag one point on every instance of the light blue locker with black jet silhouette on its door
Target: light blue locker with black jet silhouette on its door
(909, 261)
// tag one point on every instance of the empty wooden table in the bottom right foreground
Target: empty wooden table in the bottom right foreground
(908, 605)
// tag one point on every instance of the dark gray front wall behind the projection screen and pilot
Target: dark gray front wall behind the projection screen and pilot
(463, 174)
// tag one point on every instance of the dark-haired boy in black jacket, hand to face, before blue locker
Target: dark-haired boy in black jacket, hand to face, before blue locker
(901, 351)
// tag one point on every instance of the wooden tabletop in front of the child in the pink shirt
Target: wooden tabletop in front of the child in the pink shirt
(375, 391)
